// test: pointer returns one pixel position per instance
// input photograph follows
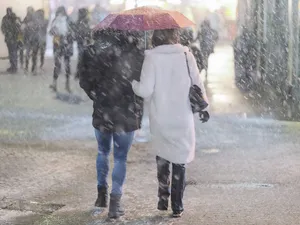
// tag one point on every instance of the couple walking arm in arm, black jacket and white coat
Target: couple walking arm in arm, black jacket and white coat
(117, 76)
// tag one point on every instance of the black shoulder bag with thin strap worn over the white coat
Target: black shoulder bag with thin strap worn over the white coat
(198, 104)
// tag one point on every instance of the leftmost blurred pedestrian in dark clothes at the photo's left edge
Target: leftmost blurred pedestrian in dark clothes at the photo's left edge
(11, 29)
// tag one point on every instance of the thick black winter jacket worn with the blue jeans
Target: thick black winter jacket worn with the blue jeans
(106, 76)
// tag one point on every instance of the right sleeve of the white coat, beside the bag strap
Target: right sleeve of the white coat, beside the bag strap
(195, 75)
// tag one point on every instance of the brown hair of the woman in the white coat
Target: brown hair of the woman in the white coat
(165, 37)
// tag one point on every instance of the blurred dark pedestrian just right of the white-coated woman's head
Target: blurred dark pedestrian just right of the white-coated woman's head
(208, 38)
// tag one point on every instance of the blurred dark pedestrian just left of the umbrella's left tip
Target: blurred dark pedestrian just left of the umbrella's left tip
(82, 34)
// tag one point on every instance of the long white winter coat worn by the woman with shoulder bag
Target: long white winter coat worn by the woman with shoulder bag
(165, 83)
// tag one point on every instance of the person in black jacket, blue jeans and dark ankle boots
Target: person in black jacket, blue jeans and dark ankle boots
(109, 66)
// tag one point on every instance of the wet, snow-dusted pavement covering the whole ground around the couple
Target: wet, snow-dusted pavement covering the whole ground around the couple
(245, 171)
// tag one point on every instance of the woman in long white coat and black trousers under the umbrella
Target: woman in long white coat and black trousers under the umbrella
(165, 83)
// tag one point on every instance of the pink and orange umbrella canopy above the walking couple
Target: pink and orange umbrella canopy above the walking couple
(143, 19)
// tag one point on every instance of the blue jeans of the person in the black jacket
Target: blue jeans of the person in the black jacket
(122, 143)
